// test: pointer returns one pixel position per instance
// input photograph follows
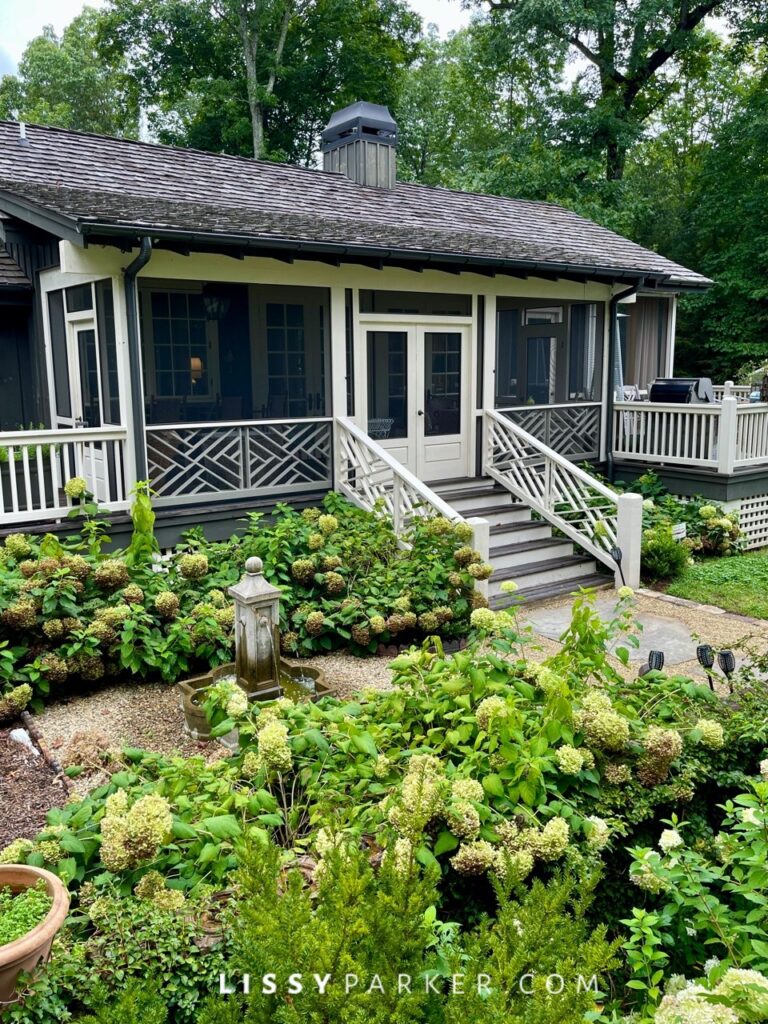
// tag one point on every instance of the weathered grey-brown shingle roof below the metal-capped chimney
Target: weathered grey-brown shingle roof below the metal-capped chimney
(95, 182)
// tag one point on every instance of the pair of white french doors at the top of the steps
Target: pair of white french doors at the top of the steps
(419, 396)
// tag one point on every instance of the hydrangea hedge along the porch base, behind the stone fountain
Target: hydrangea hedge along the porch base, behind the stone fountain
(71, 614)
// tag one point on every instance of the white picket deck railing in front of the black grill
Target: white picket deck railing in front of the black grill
(721, 438)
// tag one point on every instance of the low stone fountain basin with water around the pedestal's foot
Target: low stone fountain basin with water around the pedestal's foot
(296, 682)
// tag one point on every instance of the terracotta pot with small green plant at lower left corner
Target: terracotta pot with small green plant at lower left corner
(26, 952)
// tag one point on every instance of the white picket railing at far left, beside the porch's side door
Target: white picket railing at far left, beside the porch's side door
(36, 464)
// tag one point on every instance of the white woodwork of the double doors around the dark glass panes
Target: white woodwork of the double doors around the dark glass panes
(416, 328)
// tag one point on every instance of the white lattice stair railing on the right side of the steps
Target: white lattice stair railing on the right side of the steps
(590, 514)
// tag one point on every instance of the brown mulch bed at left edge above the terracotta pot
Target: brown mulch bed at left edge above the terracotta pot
(29, 788)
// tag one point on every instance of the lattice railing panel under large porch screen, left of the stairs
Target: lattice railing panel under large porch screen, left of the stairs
(199, 461)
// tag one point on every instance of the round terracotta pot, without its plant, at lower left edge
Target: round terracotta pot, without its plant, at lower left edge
(34, 948)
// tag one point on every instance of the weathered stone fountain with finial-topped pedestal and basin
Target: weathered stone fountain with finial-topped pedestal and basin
(258, 666)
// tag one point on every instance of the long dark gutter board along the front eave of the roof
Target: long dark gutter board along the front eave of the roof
(310, 250)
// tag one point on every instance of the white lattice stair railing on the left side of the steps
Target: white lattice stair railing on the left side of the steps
(370, 477)
